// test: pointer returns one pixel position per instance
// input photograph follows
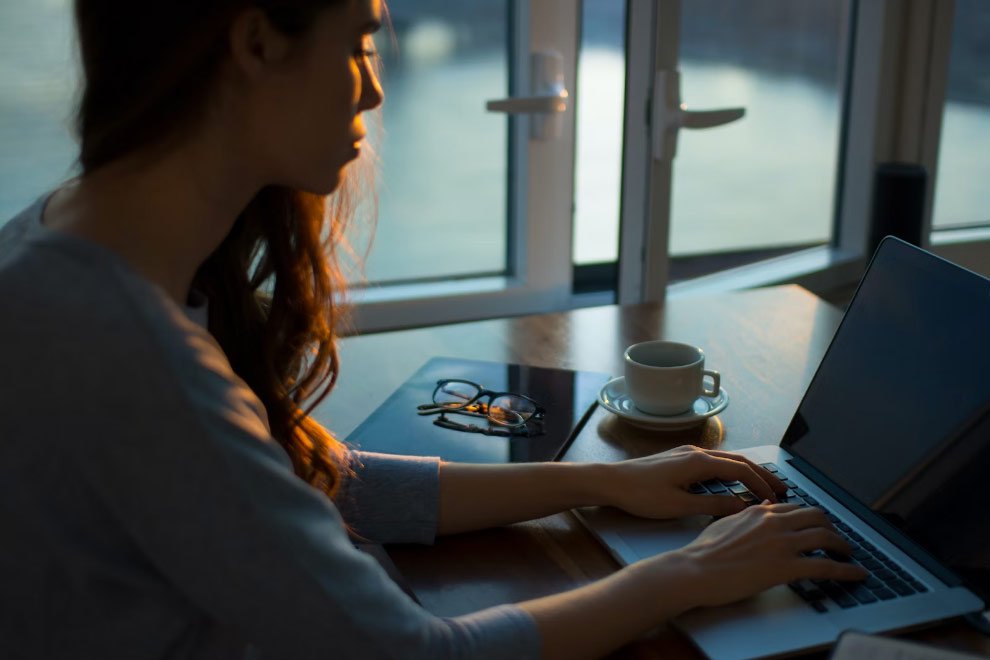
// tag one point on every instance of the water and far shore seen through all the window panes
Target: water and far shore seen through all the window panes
(763, 182)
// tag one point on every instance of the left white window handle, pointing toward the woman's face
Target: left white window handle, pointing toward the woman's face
(549, 96)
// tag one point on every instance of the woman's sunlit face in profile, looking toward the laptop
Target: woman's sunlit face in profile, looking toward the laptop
(313, 104)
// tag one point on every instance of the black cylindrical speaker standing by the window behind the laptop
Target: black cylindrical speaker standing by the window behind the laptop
(898, 202)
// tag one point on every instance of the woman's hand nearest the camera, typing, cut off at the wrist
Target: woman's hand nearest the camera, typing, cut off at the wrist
(744, 554)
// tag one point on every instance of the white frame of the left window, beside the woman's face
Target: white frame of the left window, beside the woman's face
(541, 188)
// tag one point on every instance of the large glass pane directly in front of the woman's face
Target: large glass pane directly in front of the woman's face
(442, 180)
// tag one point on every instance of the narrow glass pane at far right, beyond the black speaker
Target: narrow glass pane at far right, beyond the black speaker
(962, 196)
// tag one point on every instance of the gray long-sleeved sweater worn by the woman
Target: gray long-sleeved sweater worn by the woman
(146, 511)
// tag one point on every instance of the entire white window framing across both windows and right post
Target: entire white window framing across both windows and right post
(886, 116)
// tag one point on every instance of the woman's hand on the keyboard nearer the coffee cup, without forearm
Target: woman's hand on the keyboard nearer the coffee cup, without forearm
(656, 486)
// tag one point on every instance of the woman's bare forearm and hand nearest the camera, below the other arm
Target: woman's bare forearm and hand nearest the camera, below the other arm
(734, 558)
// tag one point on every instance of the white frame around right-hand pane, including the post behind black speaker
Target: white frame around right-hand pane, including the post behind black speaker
(887, 116)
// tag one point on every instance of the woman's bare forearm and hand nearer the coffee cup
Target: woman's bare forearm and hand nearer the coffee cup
(479, 496)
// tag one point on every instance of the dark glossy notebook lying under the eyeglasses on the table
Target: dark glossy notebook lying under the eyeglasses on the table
(395, 428)
